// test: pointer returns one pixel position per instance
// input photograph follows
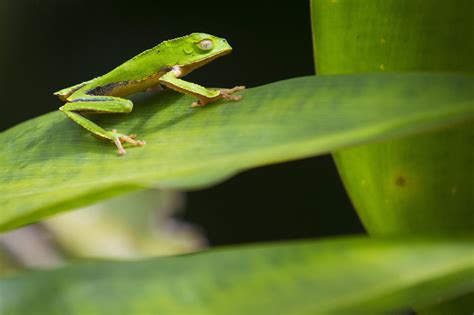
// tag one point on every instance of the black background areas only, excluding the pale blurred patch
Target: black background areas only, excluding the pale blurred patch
(48, 45)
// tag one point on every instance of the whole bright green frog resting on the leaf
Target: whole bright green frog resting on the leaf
(162, 65)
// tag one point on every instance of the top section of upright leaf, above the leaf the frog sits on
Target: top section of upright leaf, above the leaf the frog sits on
(392, 35)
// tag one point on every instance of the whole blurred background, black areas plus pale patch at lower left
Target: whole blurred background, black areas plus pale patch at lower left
(47, 45)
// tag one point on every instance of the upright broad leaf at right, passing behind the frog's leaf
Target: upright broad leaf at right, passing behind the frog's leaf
(421, 183)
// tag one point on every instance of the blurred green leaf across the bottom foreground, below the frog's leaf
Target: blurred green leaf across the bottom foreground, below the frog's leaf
(355, 275)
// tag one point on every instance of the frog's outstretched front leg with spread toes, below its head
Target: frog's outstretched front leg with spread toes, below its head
(206, 96)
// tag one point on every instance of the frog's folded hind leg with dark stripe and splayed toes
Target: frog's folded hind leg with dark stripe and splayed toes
(101, 104)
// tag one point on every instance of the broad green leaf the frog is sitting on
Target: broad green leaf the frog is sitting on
(49, 164)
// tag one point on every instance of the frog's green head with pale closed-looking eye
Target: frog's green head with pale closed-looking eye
(199, 49)
